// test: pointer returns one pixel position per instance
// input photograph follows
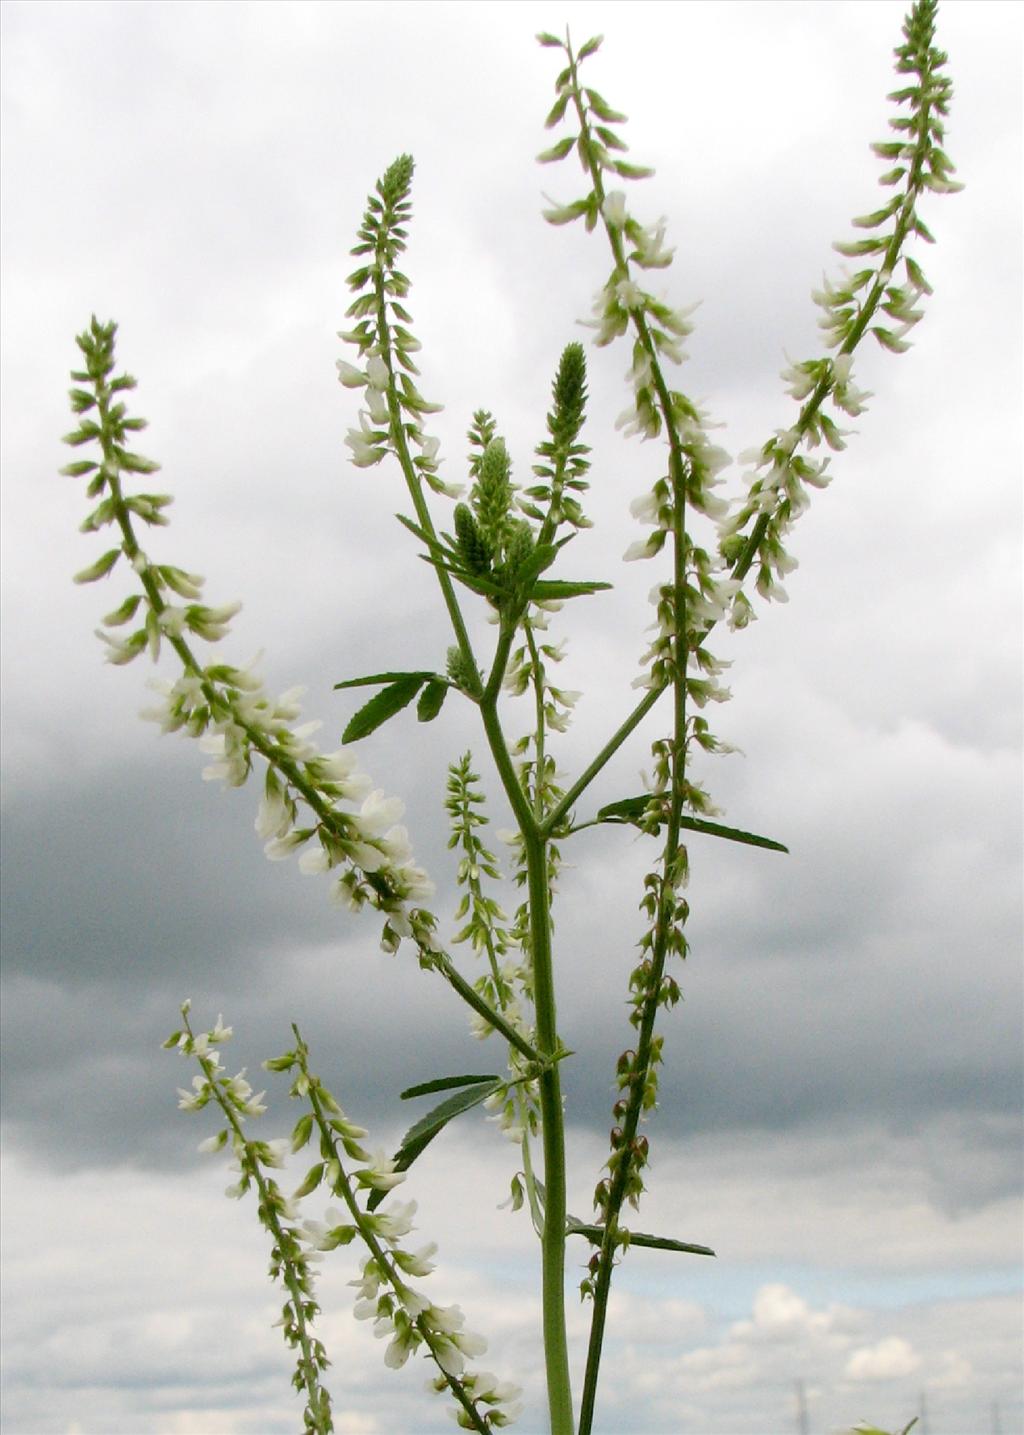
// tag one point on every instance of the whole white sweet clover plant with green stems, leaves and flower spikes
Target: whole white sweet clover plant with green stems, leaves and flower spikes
(503, 552)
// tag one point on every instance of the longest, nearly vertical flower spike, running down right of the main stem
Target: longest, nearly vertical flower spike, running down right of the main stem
(688, 606)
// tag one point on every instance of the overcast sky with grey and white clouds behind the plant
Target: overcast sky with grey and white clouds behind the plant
(841, 1098)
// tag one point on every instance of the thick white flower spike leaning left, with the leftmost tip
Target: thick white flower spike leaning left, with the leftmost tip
(226, 707)
